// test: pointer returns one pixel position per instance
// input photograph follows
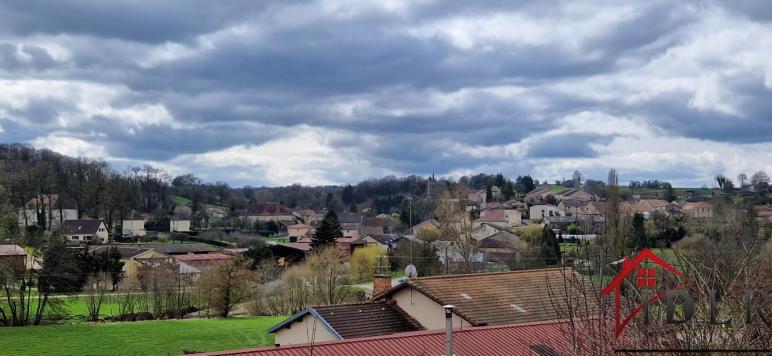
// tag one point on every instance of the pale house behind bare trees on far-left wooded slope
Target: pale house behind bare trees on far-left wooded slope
(48, 209)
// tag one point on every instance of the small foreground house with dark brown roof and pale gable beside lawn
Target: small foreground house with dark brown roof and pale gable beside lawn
(345, 321)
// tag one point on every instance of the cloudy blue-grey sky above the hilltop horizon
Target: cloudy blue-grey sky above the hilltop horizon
(273, 93)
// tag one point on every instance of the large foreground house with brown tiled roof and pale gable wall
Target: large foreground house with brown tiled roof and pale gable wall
(482, 299)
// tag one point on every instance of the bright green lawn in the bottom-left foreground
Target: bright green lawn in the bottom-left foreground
(164, 337)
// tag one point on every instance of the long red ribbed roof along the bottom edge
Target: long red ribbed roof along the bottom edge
(522, 339)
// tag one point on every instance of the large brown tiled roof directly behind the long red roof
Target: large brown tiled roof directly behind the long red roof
(501, 298)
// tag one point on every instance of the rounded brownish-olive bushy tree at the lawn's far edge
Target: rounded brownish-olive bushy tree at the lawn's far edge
(226, 285)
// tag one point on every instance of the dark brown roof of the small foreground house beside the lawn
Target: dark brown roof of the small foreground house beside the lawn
(358, 320)
